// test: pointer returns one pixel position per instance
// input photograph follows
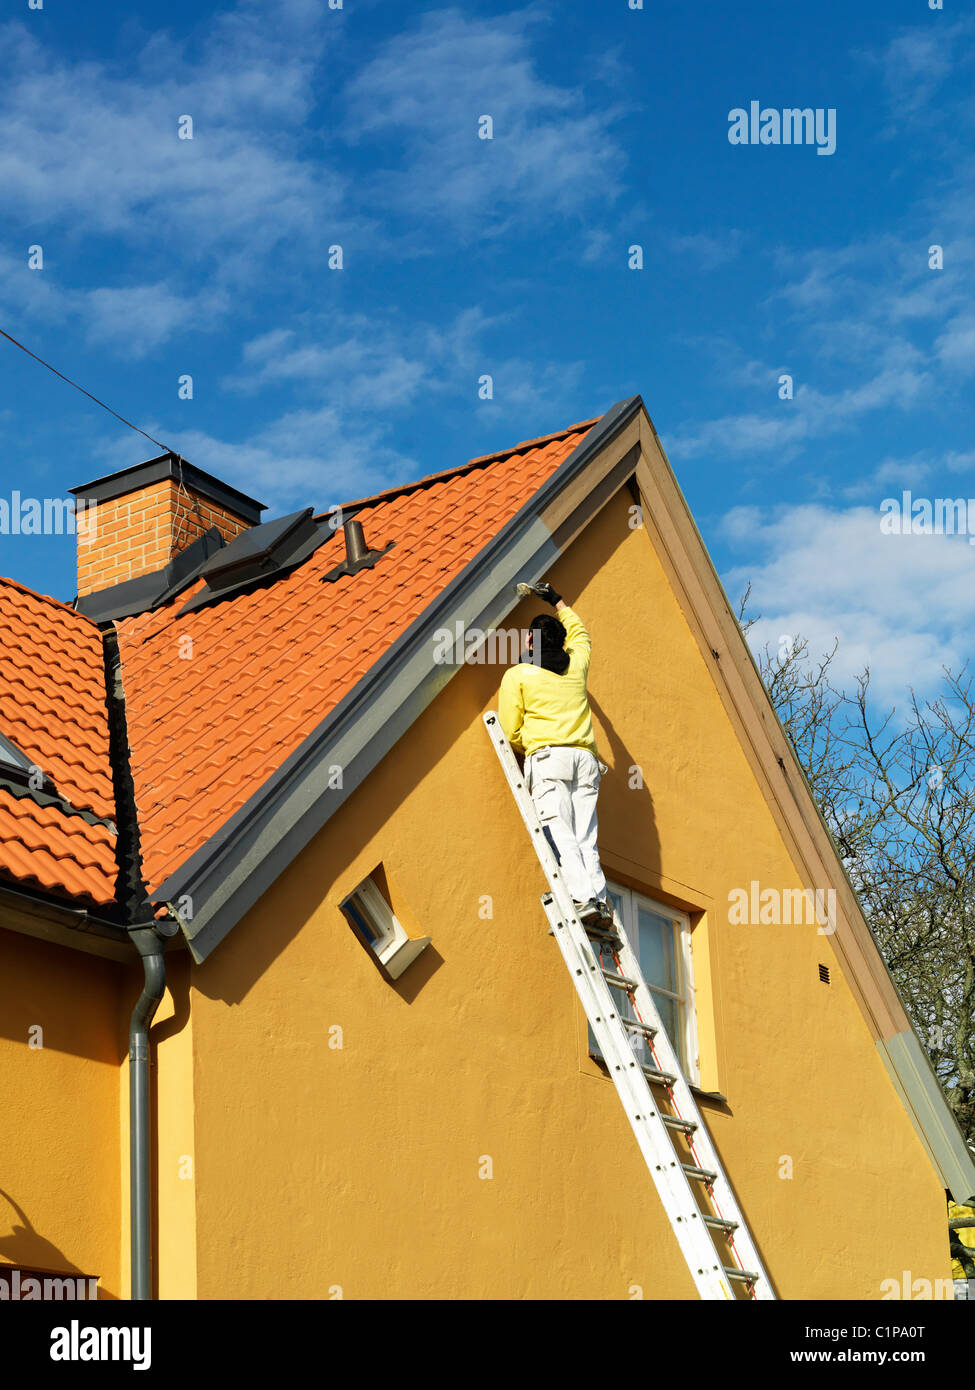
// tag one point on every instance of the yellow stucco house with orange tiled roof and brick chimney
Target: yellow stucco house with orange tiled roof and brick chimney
(240, 775)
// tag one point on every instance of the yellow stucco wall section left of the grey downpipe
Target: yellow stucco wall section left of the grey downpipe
(59, 1106)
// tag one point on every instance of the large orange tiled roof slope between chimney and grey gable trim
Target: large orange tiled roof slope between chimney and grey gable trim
(219, 698)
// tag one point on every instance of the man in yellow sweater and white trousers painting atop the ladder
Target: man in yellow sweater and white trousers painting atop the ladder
(545, 712)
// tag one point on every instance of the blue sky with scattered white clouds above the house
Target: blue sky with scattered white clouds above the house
(462, 258)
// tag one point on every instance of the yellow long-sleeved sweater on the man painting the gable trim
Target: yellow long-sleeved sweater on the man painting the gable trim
(540, 710)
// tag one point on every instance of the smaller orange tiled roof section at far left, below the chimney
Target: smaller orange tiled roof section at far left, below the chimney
(54, 708)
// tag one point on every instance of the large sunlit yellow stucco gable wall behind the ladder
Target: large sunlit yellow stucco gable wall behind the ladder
(357, 1171)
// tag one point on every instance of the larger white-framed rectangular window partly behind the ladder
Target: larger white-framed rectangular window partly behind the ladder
(661, 939)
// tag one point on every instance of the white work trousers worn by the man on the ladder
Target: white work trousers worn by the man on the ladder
(564, 786)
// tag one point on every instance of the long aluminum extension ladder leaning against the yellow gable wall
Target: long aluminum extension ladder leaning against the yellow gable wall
(660, 1106)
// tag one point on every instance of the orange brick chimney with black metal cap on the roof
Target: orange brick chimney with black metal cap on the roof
(134, 522)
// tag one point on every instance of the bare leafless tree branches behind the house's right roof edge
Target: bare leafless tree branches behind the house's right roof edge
(898, 793)
